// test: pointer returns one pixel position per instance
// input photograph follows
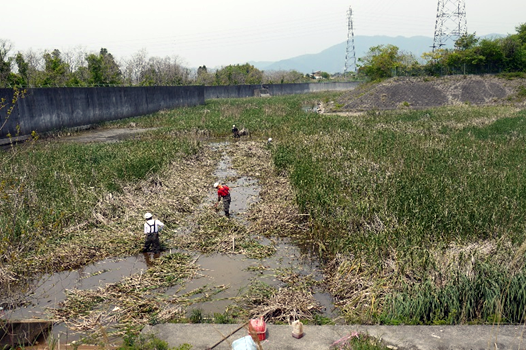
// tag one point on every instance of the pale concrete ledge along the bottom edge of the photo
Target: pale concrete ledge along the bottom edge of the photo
(203, 336)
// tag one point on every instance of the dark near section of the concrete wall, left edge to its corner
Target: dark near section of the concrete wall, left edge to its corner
(47, 109)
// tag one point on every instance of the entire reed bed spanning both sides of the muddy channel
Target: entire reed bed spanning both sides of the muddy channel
(402, 207)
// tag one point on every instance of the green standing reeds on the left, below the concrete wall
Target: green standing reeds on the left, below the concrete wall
(47, 185)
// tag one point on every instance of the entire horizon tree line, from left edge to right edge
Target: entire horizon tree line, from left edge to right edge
(470, 55)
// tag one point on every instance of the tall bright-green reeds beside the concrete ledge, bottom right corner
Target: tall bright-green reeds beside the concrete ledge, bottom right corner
(491, 295)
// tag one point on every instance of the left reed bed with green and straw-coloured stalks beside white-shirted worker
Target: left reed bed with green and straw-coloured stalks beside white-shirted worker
(110, 222)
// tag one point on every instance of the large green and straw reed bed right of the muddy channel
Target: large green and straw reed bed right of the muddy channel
(393, 191)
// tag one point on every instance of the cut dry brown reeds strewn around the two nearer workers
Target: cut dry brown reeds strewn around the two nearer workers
(179, 197)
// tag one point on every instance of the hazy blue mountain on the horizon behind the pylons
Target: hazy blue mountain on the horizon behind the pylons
(332, 60)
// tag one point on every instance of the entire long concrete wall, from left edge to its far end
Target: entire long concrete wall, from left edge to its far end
(48, 109)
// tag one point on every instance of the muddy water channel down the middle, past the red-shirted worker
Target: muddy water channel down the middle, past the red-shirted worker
(237, 271)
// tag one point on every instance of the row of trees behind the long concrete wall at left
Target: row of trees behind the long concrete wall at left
(79, 68)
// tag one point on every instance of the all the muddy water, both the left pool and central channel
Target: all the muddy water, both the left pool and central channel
(235, 272)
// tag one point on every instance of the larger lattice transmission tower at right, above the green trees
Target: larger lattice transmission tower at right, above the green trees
(451, 22)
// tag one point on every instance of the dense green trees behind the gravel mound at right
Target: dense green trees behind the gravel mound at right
(470, 55)
